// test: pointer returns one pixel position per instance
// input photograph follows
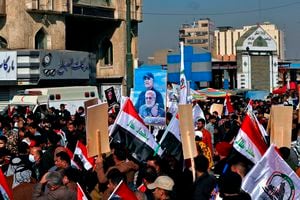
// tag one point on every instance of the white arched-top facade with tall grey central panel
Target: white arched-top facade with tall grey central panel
(257, 60)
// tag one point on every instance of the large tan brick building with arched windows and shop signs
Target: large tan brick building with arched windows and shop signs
(65, 42)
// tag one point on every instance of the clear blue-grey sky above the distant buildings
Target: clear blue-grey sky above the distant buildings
(163, 18)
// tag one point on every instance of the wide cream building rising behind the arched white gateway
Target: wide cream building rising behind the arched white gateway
(226, 38)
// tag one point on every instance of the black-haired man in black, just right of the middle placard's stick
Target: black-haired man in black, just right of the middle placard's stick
(205, 183)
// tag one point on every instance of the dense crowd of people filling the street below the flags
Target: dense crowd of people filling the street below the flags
(35, 157)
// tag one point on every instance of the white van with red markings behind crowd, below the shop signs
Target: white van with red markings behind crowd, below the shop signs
(72, 97)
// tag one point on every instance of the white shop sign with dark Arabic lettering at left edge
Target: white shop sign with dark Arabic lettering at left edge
(8, 67)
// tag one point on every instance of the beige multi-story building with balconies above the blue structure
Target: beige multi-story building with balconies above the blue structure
(198, 34)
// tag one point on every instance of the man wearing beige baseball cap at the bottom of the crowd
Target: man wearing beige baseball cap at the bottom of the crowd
(162, 188)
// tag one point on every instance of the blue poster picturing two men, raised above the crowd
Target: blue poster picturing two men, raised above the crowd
(149, 95)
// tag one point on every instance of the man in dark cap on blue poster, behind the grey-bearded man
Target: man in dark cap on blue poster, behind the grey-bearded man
(149, 85)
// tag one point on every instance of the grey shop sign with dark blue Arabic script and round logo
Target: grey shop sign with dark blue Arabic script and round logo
(64, 65)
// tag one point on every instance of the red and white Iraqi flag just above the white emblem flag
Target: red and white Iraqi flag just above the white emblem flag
(249, 141)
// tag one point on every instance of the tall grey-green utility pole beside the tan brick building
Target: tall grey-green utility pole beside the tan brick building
(129, 61)
